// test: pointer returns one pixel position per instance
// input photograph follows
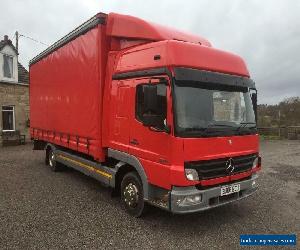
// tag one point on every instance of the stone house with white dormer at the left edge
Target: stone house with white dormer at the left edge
(14, 92)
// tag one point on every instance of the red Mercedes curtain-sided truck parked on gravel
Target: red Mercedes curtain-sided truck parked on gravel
(158, 115)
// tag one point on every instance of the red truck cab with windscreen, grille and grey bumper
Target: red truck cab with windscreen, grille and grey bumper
(189, 117)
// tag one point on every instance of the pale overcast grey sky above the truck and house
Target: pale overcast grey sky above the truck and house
(265, 33)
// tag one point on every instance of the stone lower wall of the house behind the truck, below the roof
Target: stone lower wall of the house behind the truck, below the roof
(18, 96)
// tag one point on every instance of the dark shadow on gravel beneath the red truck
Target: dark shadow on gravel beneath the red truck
(158, 218)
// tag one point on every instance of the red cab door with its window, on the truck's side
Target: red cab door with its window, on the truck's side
(151, 144)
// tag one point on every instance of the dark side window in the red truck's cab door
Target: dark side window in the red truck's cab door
(153, 105)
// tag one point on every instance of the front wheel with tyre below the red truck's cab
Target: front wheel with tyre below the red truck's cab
(132, 194)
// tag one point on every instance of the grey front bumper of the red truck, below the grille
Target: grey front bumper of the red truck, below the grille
(210, 197)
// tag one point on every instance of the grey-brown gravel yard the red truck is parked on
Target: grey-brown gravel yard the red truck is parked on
(42, 209)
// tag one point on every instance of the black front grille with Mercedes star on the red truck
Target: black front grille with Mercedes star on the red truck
(217, 167)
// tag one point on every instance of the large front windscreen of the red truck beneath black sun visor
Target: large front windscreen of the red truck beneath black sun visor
(207, 108)
